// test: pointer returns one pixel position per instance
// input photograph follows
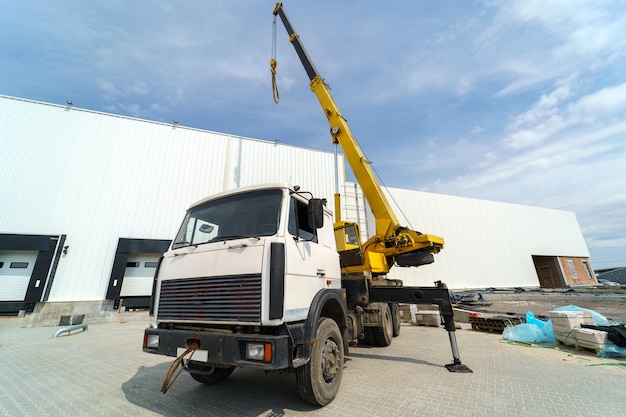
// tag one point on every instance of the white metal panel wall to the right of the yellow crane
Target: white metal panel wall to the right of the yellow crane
(487, 244)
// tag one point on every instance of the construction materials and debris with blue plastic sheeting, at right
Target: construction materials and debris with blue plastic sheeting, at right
(573, 326)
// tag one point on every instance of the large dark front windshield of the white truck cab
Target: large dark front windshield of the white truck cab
(251, 214)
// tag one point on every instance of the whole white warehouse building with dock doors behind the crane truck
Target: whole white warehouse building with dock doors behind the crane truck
(89, 201)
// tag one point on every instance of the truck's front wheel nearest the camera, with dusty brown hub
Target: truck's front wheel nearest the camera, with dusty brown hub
(319, 380)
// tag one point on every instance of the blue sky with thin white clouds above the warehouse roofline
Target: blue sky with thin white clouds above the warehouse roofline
(514, 101)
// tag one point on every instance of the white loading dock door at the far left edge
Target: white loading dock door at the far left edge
(16, 268)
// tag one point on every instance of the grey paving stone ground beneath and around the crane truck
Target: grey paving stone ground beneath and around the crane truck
(103, 372)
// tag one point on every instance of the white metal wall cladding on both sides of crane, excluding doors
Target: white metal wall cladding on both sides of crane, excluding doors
(97, 177)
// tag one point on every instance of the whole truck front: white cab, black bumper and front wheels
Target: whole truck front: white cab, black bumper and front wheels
(247, 282)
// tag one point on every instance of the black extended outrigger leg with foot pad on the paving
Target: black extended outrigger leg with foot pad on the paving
(438, 295)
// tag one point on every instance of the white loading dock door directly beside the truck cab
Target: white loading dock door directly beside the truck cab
(139, 275)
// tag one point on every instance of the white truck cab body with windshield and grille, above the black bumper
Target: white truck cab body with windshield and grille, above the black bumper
(247, 257)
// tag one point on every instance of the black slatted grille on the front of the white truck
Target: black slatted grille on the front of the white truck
(217, 299)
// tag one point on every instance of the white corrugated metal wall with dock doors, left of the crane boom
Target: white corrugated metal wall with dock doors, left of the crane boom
(97, 177)
